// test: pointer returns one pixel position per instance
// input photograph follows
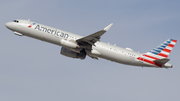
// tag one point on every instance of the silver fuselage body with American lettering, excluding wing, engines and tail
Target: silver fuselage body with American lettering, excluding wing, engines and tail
(54, 36)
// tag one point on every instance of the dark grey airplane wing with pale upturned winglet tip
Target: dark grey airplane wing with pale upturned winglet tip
(91, 39)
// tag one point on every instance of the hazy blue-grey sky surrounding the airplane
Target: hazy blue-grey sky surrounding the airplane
(32, 70)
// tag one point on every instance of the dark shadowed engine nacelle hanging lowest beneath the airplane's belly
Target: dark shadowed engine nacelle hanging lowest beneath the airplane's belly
(69, 53)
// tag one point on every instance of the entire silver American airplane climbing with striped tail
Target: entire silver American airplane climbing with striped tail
(76, 46)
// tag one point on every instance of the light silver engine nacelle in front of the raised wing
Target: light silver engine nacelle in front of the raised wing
(68, 43)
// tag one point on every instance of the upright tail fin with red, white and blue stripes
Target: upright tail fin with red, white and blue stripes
(161, 51)
